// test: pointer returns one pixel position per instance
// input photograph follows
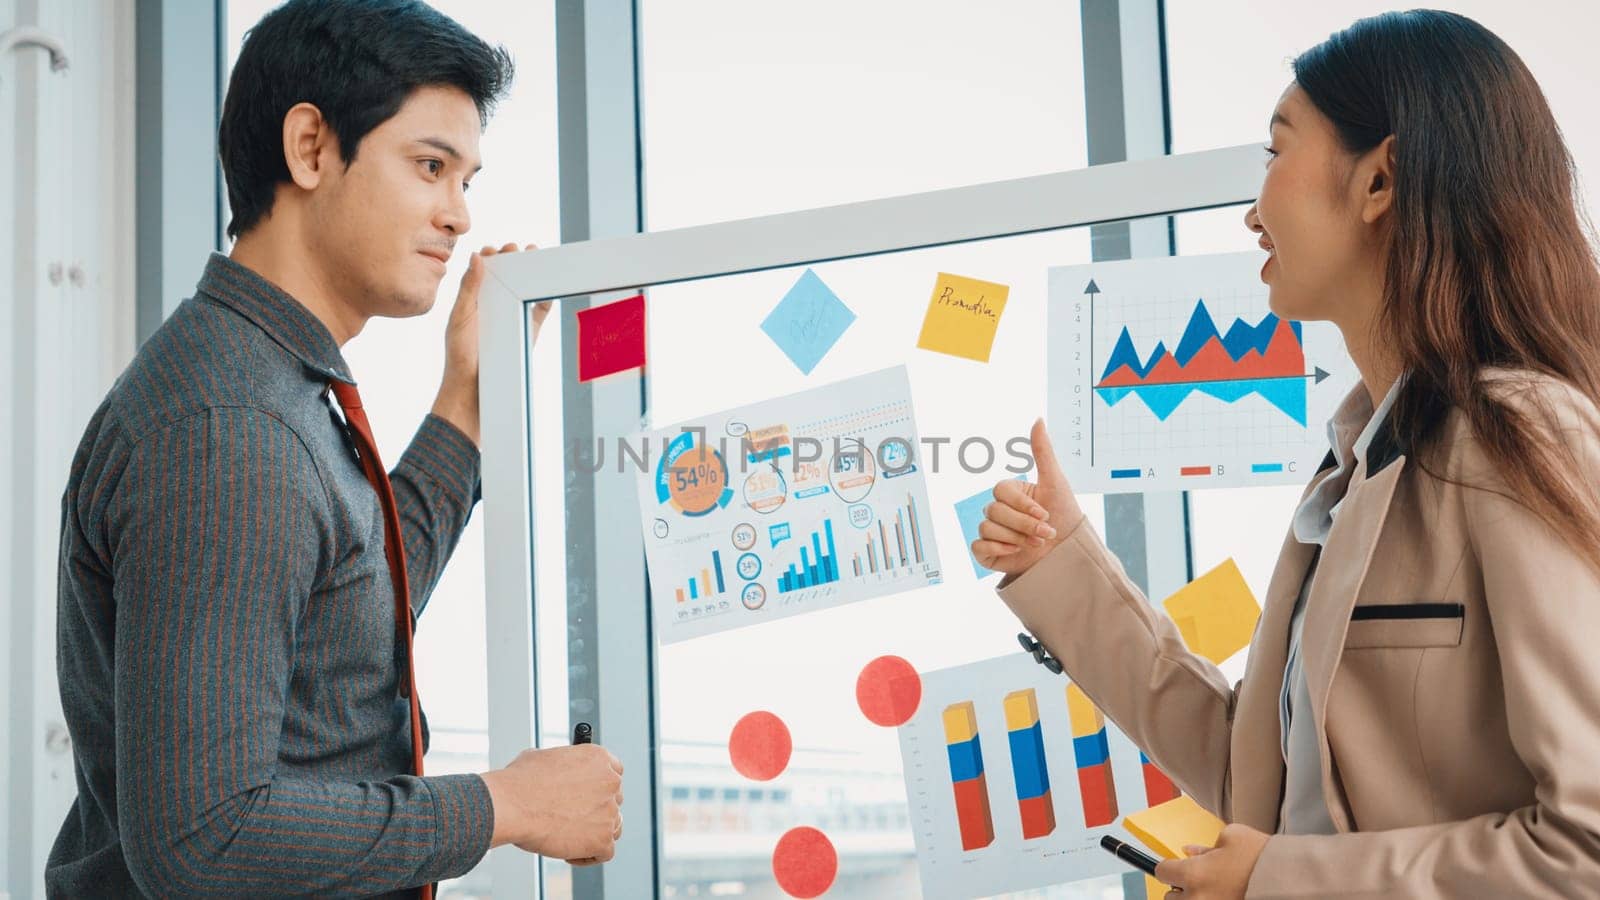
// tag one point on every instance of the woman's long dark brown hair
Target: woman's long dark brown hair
(1490, 260)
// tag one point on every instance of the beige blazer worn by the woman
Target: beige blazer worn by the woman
(1452, 648)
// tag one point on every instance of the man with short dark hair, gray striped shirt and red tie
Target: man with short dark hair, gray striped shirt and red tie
(239, 574)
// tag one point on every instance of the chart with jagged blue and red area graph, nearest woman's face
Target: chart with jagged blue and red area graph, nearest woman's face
(1177, 376)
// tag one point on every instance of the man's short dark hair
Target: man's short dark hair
(354, 60)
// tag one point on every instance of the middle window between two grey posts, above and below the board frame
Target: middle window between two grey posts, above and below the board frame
(748, 113)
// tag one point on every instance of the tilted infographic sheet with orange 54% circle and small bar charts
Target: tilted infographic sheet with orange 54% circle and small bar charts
(786, 507)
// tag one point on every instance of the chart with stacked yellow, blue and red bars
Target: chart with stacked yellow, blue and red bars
(1014, 776)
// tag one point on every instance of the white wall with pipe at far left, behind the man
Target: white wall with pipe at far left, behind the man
(66, 244)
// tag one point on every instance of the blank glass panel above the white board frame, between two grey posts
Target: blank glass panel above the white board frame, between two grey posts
(750, 111)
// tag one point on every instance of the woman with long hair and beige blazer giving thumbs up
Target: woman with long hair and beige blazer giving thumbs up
(1420, 715)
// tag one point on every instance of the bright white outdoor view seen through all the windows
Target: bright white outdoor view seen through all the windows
(754, 110)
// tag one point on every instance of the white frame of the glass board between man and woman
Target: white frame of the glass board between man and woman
(1070, 199)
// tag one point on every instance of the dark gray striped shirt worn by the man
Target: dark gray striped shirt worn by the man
(226, 641)
